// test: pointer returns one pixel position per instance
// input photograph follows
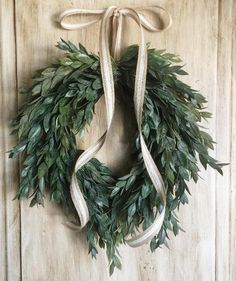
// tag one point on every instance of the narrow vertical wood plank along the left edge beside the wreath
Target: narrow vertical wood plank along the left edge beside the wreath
(9, 210)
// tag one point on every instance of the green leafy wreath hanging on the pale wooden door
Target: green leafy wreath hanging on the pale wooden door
(61, 105)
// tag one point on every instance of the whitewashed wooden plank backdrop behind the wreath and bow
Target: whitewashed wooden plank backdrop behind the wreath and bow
(34, 245)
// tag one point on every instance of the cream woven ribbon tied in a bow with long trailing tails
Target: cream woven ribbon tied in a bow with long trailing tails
(111, 20)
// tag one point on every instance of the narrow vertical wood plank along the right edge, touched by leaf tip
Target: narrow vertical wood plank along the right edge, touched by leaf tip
(224, 100)
